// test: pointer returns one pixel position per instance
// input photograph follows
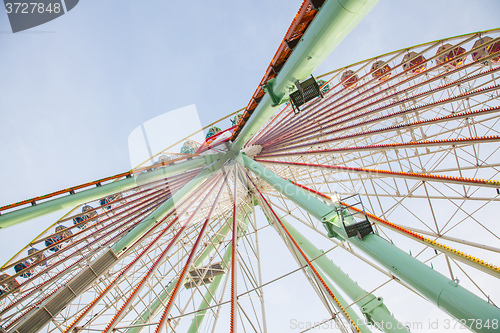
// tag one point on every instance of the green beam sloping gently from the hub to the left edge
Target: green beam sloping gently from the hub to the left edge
(72, 200)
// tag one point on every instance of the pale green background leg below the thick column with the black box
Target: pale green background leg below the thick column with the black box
(372, 306)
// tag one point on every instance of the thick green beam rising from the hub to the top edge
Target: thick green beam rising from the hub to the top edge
(332, 24)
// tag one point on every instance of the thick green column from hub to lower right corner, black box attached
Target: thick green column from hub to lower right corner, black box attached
(445, 293)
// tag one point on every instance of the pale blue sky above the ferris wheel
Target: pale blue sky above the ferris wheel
(72, 90)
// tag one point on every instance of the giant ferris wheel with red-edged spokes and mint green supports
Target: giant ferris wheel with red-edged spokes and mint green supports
(328, 196)
